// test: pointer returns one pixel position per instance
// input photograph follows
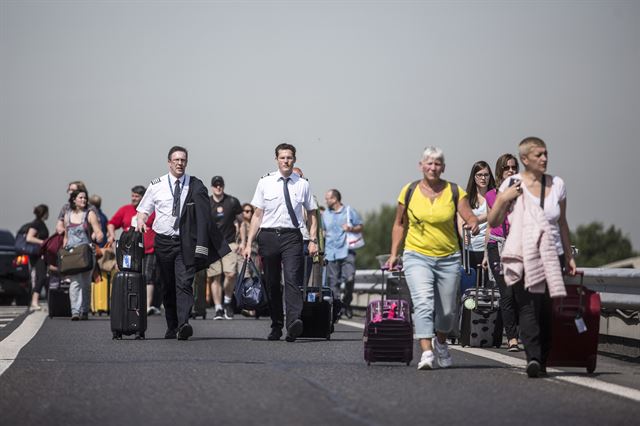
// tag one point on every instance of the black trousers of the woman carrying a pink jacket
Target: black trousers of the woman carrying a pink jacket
(535, 316)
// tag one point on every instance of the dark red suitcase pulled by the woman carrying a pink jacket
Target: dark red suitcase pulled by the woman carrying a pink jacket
(572, 345)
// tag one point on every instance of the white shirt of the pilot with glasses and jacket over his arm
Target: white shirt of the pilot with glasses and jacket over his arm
(159, 198)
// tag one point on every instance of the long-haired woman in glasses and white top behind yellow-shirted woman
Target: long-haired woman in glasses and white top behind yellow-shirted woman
(480, 181)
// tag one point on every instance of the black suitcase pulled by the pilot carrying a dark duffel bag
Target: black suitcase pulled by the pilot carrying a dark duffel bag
(317, 308)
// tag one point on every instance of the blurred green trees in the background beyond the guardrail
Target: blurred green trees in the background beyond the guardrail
(596, 245)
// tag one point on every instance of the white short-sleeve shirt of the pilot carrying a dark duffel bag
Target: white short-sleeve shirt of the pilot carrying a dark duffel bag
(269, 197)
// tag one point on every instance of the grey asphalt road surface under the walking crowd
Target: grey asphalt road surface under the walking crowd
(72, 373)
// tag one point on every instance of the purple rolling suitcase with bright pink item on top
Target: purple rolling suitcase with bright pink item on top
(388, 332)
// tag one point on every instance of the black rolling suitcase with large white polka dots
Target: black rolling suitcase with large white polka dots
(481, 323)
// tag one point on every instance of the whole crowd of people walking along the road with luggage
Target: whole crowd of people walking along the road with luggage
(283, 228)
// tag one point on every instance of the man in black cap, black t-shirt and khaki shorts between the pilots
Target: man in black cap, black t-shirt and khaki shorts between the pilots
(221, 274)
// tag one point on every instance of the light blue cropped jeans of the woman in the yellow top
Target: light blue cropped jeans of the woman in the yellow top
(434, 283)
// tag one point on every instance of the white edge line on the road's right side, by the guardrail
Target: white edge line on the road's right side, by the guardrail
(580, 380)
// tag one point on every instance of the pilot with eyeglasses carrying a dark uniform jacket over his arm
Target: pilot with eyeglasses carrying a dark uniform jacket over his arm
(186, 240)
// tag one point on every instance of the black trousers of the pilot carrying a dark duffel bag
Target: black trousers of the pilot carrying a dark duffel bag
(282, 254)
